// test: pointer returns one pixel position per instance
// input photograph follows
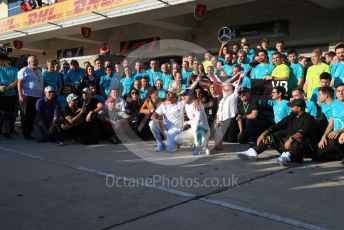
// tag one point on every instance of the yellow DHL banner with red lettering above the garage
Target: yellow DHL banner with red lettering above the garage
(59, 11)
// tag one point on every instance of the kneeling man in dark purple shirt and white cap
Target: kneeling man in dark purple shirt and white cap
(47, 117)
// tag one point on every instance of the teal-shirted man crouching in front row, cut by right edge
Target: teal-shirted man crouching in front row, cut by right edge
(329, 147)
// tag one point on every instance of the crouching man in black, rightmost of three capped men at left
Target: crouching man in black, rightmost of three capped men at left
(93, 111)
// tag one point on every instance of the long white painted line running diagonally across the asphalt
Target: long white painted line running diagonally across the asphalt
(206, 199)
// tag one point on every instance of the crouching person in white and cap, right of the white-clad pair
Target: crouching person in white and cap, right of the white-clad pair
(198, 134)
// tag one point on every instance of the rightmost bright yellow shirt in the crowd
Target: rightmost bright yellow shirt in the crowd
(313, 77)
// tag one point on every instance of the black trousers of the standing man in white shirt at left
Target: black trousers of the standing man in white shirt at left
(29, 111)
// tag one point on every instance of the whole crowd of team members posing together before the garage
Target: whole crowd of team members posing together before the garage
(187, 104)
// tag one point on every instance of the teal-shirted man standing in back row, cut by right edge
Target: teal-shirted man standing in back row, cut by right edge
(338, 68)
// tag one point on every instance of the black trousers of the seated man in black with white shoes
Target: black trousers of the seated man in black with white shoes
(298, 149)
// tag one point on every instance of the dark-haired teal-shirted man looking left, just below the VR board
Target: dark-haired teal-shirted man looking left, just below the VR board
(279, 105)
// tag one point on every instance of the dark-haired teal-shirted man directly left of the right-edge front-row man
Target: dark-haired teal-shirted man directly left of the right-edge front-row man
(326, 99)
